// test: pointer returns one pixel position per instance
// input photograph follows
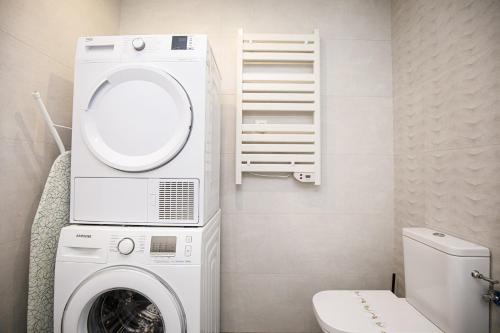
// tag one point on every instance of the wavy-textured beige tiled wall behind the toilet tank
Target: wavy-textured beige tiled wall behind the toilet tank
(446, 60)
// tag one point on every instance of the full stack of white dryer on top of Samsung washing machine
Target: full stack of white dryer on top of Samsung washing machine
(142, 253)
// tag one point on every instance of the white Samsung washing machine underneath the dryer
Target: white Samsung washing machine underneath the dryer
(111, 279)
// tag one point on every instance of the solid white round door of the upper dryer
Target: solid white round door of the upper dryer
(137, 118)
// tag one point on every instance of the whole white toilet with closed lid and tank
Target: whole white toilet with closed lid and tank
(441, 294)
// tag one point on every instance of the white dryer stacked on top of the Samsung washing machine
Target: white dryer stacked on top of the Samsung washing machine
(146, 131)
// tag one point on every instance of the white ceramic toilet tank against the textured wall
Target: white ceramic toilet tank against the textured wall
(438, 280)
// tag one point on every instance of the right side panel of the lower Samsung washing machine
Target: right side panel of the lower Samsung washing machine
(210, 277)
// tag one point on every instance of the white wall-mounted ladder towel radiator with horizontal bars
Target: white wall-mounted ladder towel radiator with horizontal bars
(278, 105)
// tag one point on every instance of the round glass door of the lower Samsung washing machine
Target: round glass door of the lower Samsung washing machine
(123, 299)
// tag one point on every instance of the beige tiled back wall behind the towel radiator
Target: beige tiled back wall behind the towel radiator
(284, 241)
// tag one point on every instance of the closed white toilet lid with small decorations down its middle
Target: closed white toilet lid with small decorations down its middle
(368, 311)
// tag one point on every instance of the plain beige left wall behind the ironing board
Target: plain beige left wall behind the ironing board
(37, 41)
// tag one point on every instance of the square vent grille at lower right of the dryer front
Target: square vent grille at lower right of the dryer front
(176, 200)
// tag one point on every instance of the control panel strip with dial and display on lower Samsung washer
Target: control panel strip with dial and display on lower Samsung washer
(131, 245)
